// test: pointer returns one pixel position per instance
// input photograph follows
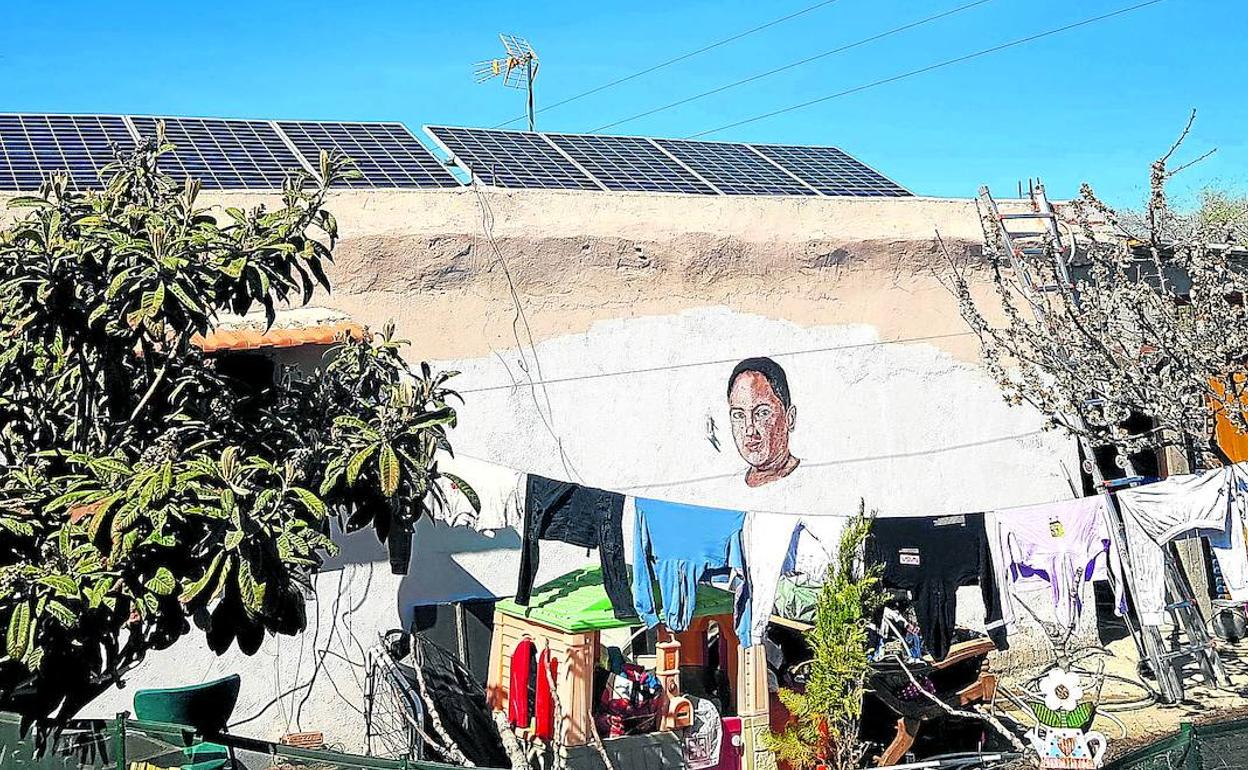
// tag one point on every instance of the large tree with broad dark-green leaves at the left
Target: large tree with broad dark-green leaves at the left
(144, 486)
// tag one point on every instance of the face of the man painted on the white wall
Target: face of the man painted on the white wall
(761, 424)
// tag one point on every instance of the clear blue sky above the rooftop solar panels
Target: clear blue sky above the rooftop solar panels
(1094, 104)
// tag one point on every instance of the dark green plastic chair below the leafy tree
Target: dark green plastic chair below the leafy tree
(205, 708)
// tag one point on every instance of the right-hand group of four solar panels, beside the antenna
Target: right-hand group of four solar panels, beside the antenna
(519, 159)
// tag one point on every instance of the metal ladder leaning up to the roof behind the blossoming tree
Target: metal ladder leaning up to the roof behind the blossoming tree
(1166, 662)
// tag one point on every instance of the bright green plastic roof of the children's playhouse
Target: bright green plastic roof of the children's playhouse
(577, 602)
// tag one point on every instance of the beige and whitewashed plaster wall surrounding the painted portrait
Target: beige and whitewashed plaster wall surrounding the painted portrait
(635, 311)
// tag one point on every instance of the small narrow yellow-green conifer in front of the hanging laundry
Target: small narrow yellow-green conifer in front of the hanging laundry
(824, 729)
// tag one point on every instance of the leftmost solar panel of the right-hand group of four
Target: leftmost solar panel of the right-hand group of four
(511, 159)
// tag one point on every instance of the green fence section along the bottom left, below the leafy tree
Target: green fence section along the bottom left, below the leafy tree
(130, 744)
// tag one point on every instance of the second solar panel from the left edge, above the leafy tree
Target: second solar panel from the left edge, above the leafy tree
(224, 154)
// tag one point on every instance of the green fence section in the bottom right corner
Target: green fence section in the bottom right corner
(1216, 747)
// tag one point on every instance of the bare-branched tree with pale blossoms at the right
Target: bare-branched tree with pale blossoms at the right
(1125, 316)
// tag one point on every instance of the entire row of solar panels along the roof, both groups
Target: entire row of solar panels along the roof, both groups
(227, 154)
